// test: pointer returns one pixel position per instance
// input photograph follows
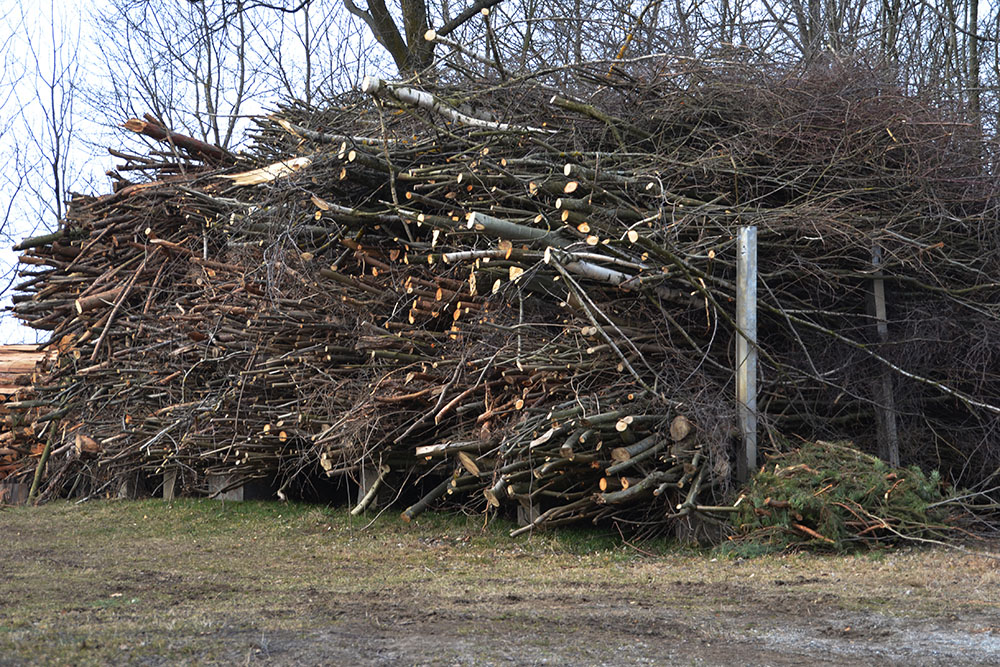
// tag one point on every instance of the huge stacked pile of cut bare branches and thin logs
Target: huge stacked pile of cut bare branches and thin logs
(523, 291)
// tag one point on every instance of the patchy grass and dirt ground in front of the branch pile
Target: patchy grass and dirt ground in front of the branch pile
(202, 582)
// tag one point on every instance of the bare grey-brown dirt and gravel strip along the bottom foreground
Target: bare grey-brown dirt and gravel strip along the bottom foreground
(615, 635)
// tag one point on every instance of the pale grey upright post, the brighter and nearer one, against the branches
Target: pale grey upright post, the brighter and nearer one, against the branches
(746, 348)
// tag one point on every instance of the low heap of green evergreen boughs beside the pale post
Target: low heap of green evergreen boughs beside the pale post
(831, 496)
